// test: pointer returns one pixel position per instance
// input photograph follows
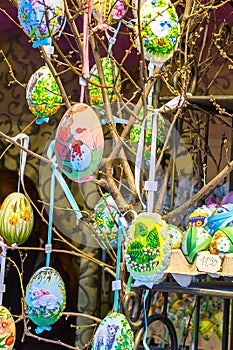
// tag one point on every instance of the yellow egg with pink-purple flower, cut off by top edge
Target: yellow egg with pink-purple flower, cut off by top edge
(108, 12)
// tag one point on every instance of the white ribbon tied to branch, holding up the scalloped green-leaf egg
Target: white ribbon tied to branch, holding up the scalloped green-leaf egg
(151, 185)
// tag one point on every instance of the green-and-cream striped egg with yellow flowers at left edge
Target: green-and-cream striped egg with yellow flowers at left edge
(16, 218)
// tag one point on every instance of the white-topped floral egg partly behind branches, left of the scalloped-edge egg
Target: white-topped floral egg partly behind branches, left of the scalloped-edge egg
(105, 218)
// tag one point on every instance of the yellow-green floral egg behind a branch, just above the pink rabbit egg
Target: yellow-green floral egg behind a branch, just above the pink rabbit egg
(112, 81)
